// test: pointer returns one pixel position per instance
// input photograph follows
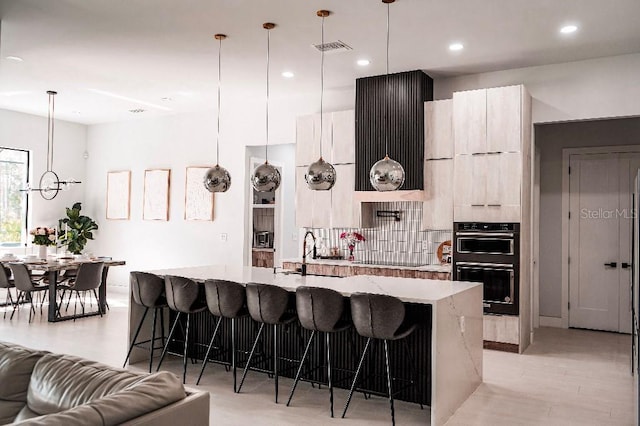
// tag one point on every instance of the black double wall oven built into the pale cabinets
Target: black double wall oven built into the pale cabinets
(489, 253)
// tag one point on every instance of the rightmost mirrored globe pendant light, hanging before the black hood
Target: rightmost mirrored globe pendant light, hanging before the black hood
(387, 174)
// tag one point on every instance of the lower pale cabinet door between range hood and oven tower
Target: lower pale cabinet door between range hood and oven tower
(437, 209)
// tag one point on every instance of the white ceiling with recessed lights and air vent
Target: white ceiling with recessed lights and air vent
(106, 57)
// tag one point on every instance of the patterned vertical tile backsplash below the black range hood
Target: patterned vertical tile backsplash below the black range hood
(388, 241)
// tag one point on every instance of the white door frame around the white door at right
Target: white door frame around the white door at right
(566, 157)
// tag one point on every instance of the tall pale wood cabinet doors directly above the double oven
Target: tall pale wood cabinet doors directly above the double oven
(489, 142)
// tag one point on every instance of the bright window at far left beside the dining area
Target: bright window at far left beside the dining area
(14, 175)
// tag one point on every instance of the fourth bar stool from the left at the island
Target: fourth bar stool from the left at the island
(267, 305)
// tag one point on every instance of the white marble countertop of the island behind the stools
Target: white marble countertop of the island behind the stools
(406, 289)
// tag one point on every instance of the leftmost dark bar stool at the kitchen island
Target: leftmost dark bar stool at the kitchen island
(148, 291)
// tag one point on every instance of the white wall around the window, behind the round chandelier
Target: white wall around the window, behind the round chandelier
(29, 132)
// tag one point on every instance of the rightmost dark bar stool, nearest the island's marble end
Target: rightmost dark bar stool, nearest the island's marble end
(379, 317)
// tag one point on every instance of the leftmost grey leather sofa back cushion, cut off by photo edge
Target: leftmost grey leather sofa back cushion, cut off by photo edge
(16, 366)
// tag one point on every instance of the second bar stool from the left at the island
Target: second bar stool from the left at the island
(183, 298)
